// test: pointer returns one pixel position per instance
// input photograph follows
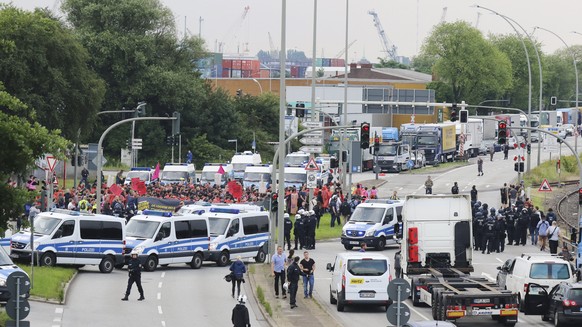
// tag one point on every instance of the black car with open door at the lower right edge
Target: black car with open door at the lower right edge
(563, 304)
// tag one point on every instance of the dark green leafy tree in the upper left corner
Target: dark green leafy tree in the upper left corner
(46, 68)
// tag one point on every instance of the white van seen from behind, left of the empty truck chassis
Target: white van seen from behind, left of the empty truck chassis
(359, 278)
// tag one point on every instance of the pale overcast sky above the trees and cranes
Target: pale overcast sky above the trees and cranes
(406, 23)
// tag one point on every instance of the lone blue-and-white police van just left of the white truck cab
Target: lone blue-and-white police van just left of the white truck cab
(373, 222)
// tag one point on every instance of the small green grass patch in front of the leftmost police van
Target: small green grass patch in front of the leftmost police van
(49, 282)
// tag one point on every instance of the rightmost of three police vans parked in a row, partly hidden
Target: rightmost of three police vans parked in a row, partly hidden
(236, 232)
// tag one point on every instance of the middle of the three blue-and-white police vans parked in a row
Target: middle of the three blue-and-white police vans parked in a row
(164, 238)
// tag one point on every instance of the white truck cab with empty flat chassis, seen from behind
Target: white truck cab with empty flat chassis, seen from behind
(437, 259)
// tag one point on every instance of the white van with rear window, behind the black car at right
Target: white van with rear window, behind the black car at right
(545, 270)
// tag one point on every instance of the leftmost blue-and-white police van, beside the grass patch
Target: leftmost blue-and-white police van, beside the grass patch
(73, 238)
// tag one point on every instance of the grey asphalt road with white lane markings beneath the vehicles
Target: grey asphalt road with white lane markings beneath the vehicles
(180, 296)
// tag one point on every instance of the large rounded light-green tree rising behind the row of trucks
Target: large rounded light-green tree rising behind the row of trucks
(467, 66)
